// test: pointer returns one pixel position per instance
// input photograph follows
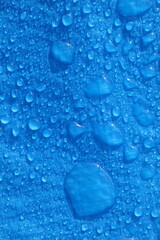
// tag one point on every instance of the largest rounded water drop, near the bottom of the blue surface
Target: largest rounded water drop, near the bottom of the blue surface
(89, 189)
